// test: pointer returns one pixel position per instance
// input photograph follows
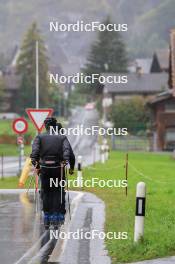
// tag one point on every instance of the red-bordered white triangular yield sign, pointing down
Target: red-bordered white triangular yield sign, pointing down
(37, 116)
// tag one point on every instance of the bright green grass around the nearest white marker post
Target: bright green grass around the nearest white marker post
(157, 171)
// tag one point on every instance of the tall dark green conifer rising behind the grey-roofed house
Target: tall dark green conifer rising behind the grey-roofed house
(107, 54)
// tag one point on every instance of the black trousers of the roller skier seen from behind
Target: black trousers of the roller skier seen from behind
(53, 197)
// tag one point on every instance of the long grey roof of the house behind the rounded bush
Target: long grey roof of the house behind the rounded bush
(139, 84)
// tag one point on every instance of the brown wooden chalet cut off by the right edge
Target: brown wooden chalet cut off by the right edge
(163, 109)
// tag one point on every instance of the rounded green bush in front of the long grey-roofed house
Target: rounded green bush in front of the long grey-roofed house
(131, 114)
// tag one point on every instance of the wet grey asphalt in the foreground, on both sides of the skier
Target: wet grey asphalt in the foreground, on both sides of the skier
(23, 239)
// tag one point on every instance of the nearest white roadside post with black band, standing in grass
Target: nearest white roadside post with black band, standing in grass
(140, 211)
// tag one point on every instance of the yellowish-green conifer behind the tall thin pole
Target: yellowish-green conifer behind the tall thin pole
(26, 68)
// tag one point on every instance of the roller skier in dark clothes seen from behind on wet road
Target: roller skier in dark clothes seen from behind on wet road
(49, 154)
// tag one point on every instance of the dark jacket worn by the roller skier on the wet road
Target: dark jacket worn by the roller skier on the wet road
(45, 145)
